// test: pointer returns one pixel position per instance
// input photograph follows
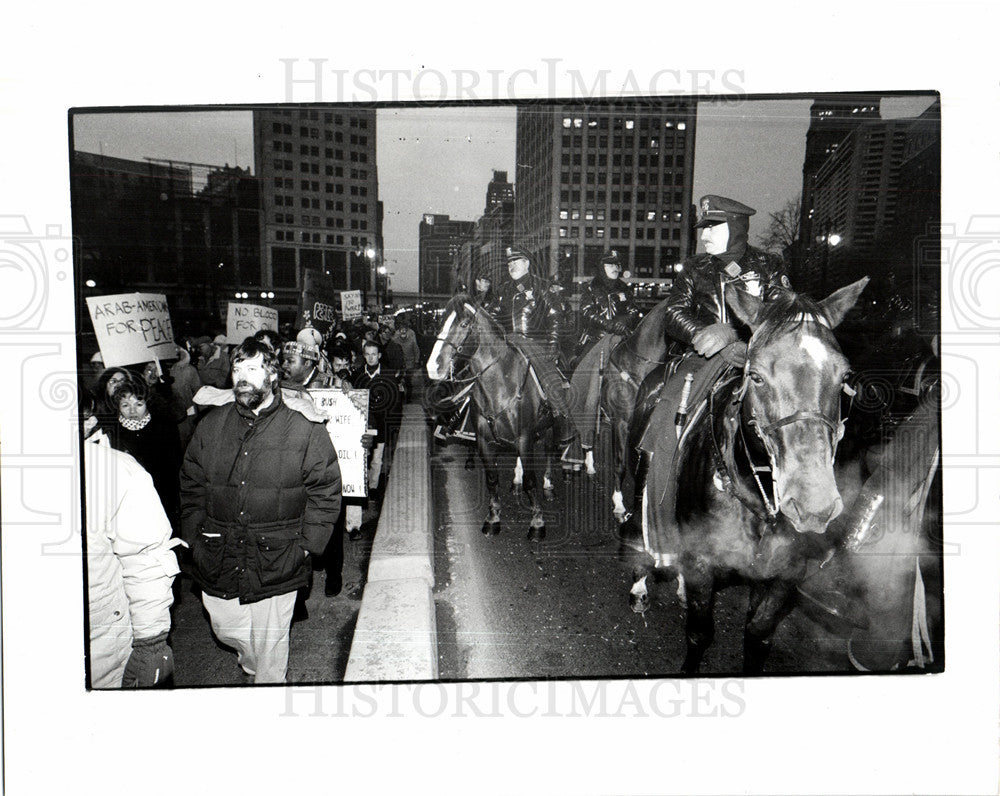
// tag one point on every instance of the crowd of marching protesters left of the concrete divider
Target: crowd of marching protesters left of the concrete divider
(219, 461)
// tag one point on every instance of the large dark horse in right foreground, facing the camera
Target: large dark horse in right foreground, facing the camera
(783, 411)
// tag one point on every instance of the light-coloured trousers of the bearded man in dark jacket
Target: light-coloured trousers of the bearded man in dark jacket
(258, 631)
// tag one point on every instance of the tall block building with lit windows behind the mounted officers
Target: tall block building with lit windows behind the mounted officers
(608, 175)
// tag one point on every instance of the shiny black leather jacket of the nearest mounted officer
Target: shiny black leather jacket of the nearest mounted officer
(696, 299)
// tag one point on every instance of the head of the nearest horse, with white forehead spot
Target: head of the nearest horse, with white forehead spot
(793, 384)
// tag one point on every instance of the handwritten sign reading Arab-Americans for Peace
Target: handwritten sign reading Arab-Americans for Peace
(132, 327)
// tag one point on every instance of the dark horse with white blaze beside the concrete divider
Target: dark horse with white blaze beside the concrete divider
(511, 410)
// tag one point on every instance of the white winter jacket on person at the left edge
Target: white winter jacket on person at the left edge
(130, 564)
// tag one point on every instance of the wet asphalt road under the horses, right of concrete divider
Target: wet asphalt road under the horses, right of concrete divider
(511, 609)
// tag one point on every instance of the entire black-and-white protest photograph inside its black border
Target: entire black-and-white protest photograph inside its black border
(637, 404)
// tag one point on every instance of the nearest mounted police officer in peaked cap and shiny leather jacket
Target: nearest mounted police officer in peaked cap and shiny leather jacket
(697, 315)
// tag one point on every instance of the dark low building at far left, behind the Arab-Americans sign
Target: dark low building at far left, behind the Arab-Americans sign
(187, 230)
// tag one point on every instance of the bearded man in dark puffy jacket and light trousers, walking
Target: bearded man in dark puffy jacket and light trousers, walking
(260, 494)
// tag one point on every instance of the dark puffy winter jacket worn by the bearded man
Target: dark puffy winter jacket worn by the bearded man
(257, 492)
